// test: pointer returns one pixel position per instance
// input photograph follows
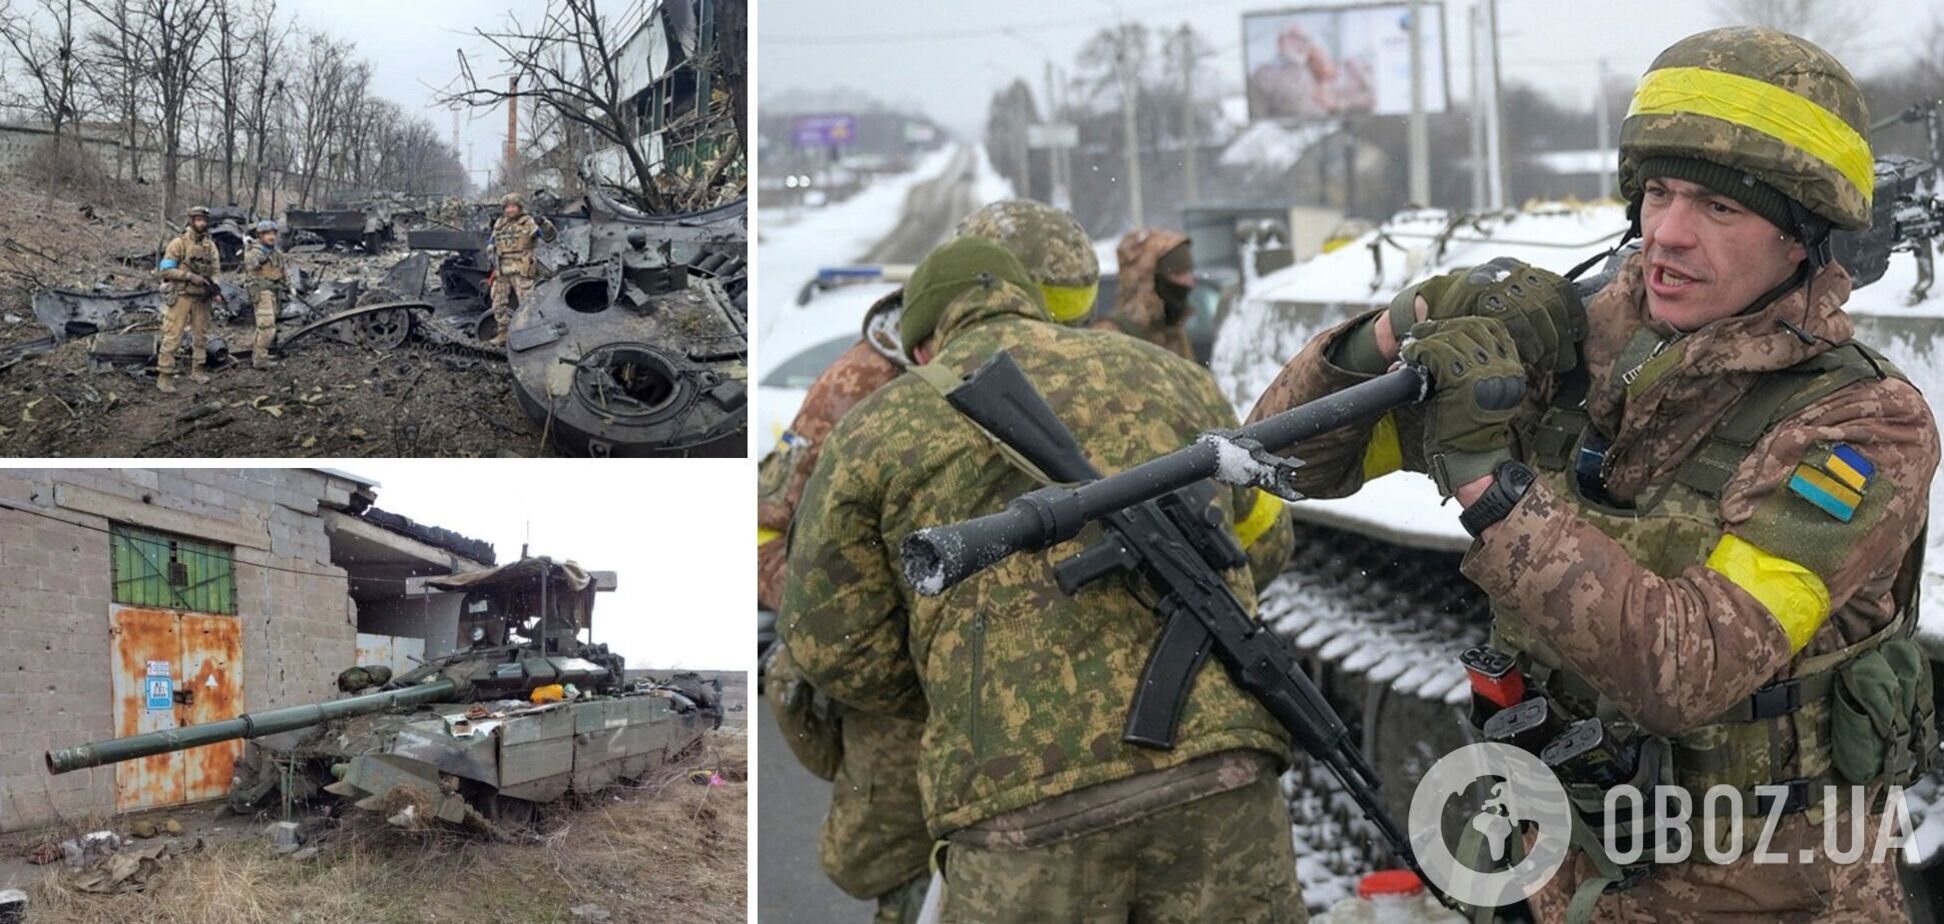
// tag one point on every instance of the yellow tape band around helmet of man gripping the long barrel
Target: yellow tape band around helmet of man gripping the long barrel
(1764, 108)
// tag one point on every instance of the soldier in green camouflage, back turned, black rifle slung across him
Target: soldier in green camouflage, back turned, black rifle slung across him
(1024, 690)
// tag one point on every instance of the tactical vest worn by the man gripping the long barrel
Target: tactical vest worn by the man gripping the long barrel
(1677, 526)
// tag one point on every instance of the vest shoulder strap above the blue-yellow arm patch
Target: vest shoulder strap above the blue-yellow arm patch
(1774, 400)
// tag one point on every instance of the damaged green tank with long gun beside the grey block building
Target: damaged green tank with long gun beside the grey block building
(477, 738)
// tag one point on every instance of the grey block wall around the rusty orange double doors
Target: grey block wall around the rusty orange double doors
(55, 594)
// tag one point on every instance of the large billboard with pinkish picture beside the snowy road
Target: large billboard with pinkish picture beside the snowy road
(1331, 61)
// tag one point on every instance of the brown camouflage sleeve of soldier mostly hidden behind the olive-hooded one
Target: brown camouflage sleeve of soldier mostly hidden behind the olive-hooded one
(788, 468)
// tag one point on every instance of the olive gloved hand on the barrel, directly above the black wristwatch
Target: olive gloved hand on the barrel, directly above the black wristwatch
(1476, 386)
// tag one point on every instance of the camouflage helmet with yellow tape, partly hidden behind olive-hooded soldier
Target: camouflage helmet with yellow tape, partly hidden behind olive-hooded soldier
(1051, 244)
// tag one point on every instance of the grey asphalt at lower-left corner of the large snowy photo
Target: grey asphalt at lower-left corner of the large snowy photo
(790, 886)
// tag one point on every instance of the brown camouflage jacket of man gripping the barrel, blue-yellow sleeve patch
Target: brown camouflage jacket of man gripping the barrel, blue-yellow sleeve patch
(1677, 651)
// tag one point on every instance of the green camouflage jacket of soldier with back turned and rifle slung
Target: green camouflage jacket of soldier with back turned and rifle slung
(1022, 688)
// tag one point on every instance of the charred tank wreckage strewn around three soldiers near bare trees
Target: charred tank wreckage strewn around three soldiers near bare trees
(637, 345)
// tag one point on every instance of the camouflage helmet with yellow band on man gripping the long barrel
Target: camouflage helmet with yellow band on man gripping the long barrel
(1780, 114)
